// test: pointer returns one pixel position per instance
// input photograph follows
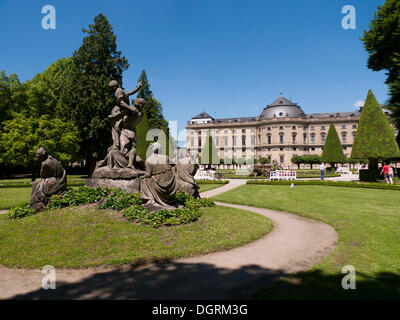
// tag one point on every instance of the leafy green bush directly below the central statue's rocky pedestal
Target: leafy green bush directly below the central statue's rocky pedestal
(118, 199)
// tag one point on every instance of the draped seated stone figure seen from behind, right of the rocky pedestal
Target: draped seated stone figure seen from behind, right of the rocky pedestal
(159, 185)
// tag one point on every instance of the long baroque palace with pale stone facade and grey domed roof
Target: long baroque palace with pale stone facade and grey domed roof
(281, 131)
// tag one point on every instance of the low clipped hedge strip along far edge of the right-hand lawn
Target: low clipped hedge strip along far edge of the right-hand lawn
(371, 185)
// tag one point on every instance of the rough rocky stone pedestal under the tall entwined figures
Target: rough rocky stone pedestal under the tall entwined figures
(127, 179)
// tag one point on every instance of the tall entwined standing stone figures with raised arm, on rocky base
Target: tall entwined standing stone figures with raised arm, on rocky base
(121, 163)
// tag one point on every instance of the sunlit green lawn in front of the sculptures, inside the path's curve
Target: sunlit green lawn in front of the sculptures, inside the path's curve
(85, 236)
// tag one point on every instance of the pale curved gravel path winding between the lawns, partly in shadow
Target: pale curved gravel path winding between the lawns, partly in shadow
(293, 245)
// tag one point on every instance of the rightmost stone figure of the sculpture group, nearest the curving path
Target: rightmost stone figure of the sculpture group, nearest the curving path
(186, 168)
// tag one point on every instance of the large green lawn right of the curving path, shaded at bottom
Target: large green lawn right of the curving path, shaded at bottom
(368, 224)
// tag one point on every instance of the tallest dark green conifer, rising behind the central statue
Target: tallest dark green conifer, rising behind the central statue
(87, 99)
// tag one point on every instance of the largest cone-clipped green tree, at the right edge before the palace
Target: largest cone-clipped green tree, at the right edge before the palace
(375, 139)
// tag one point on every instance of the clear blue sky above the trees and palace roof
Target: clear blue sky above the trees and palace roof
(229, 57)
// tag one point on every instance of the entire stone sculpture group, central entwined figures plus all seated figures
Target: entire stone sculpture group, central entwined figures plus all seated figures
(158, 179)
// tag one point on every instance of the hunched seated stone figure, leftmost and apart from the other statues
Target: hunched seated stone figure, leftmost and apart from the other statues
(53, 181)
